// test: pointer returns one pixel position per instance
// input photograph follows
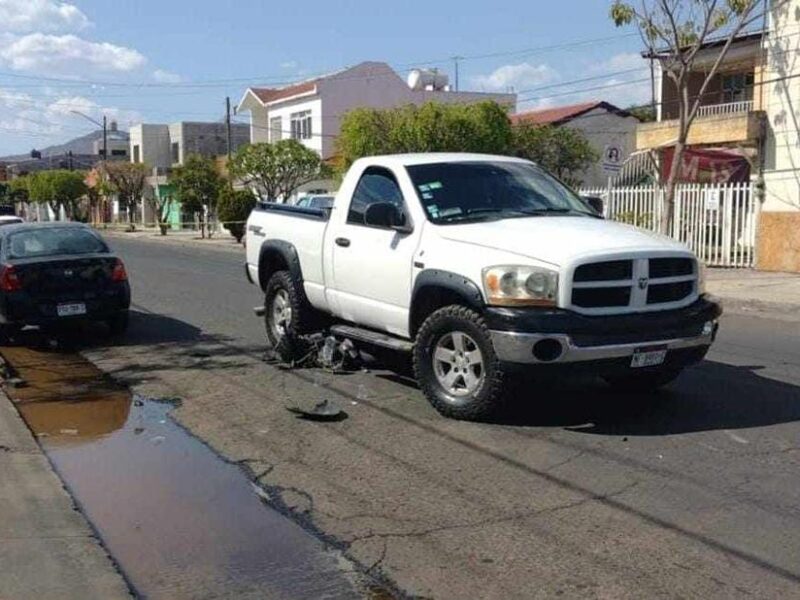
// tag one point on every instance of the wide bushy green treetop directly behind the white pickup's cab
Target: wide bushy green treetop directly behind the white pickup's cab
(431, 127)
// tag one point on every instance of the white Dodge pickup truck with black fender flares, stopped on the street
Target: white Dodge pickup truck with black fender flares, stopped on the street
(480, 266)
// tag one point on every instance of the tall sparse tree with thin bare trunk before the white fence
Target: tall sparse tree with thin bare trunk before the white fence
(674, 31)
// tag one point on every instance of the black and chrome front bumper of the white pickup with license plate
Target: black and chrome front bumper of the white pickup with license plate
(574, 338)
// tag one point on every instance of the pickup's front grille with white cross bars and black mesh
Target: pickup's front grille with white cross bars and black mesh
(633, 284)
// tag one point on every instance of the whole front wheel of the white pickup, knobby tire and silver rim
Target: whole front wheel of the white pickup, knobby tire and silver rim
(456, 366)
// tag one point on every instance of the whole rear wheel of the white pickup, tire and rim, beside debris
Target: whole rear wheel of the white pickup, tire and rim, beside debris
(286, 316)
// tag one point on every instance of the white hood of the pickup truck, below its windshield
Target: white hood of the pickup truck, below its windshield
(559, 239)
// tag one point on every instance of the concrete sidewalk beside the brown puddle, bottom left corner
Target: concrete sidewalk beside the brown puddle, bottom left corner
(47, 549)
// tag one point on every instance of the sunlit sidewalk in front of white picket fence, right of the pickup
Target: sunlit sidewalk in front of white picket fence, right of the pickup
(756, 293)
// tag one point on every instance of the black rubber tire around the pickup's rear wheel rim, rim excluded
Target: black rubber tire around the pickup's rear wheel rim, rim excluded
(290, 347)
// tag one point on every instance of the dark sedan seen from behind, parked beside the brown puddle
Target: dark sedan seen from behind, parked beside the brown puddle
(57, 273)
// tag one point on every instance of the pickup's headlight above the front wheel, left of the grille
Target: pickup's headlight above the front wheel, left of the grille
(520, 286)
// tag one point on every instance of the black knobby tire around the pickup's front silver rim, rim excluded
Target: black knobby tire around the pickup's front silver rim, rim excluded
(488, 398)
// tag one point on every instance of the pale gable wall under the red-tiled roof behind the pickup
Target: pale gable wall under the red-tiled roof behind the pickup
(602, 128)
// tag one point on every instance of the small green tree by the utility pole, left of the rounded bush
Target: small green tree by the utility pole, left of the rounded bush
(198, 184)
